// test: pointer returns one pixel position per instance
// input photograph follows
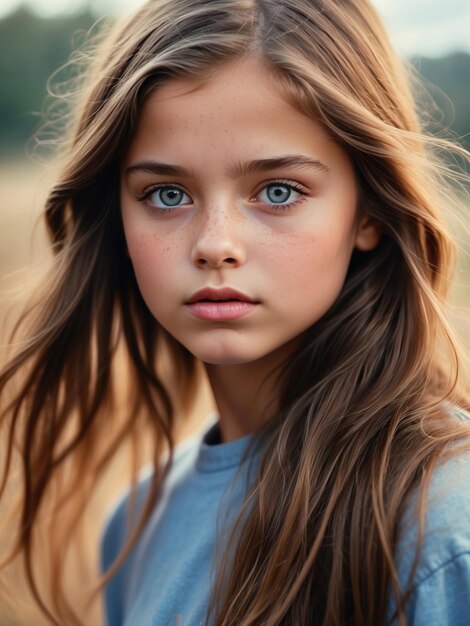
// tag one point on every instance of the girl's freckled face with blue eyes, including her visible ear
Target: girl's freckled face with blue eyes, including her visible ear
(226, 185)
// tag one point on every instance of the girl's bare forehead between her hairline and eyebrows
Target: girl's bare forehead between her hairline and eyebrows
(240, 111)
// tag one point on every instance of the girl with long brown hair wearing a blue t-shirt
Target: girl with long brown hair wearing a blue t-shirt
(248, 191)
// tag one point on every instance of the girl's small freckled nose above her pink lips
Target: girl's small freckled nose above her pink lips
(218, 244)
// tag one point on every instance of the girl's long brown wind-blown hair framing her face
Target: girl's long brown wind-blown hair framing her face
(362, 420)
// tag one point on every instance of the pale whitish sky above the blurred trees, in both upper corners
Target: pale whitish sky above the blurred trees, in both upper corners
(417, 27)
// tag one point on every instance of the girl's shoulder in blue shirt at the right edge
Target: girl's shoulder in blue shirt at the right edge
(441, 584)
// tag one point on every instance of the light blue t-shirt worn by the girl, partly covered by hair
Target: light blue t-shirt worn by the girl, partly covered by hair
(167, 578)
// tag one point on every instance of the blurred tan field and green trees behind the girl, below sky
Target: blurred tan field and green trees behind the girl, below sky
(24, 181)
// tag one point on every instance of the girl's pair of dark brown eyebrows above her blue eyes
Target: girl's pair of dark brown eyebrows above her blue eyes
(297, 161)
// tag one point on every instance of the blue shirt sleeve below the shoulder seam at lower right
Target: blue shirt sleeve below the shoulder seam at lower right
(443, 597)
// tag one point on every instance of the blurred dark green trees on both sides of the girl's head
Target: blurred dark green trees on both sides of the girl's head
(33, 48)
